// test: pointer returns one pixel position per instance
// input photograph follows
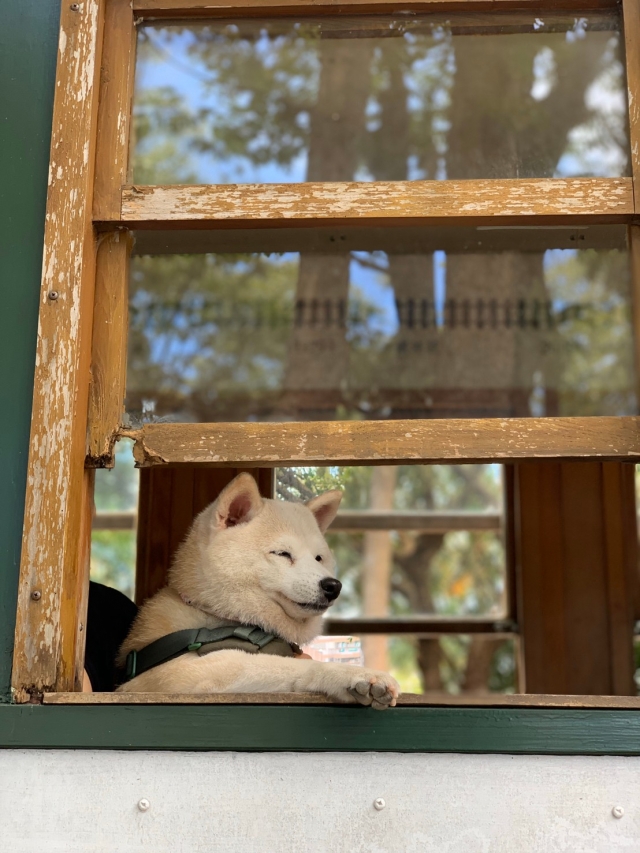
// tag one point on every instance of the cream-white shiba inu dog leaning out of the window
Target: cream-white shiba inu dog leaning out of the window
(250, 561)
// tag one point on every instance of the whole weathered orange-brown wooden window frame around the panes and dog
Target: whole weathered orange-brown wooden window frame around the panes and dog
(80, 365)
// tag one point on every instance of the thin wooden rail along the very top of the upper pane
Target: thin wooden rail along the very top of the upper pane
(151, 9)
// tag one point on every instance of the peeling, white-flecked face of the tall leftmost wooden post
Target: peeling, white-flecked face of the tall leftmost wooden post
(47, 550)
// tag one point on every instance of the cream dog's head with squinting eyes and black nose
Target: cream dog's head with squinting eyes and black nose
(262, 562)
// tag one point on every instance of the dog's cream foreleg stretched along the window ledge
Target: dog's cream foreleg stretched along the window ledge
(238, 672)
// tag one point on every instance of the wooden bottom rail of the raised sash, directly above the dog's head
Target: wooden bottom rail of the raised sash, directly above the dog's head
(385, 442)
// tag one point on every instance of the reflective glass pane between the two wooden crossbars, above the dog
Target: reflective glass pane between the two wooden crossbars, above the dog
(375, 323)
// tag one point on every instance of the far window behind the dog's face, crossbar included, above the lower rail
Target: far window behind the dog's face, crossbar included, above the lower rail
(446, 570)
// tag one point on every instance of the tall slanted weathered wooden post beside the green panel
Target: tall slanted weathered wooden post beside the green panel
(53, 549)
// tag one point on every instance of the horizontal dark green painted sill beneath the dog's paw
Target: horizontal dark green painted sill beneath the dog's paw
(296, 728)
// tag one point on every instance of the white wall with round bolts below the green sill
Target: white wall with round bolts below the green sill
(279, 803)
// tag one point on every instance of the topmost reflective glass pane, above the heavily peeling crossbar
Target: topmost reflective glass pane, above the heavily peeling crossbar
(380, 98)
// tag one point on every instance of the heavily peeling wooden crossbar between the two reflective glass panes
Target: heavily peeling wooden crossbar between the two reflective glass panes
(544, 201)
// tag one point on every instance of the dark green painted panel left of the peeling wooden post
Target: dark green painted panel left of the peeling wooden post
(28, 46)
